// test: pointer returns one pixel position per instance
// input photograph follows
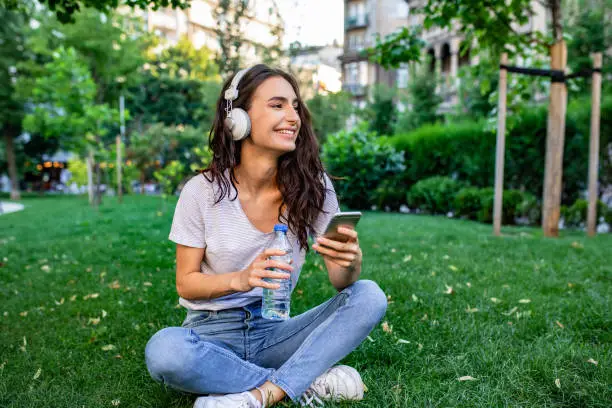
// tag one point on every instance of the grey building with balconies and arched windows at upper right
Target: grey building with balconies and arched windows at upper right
(366, 18)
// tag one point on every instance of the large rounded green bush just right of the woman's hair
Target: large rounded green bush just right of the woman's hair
(364, 160)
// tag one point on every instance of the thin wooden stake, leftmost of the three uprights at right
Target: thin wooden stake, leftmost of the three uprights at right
(501, 147)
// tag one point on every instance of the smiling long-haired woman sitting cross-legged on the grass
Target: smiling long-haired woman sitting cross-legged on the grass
(265, 170)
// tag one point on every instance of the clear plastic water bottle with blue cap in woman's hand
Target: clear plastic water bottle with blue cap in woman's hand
(276, 302)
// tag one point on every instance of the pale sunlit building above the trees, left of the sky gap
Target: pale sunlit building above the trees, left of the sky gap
(198, 23)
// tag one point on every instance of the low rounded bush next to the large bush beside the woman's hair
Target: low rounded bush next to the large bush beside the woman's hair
(434, 195)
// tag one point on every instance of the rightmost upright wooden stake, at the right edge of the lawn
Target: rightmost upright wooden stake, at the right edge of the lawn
(594, 145)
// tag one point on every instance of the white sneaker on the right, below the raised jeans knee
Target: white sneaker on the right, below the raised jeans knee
(338, 383)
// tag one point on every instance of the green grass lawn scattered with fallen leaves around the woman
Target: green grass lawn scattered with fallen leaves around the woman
(527, 318)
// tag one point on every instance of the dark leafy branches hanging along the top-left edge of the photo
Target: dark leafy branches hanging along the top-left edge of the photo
(66, 9)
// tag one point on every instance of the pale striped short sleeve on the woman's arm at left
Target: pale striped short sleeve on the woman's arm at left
(188, 222)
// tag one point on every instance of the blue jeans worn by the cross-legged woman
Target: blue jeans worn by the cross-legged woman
(235, 350)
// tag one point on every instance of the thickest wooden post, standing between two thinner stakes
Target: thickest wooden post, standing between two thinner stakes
(555, 138)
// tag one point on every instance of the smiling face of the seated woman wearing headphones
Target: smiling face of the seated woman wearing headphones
(275, 123)
